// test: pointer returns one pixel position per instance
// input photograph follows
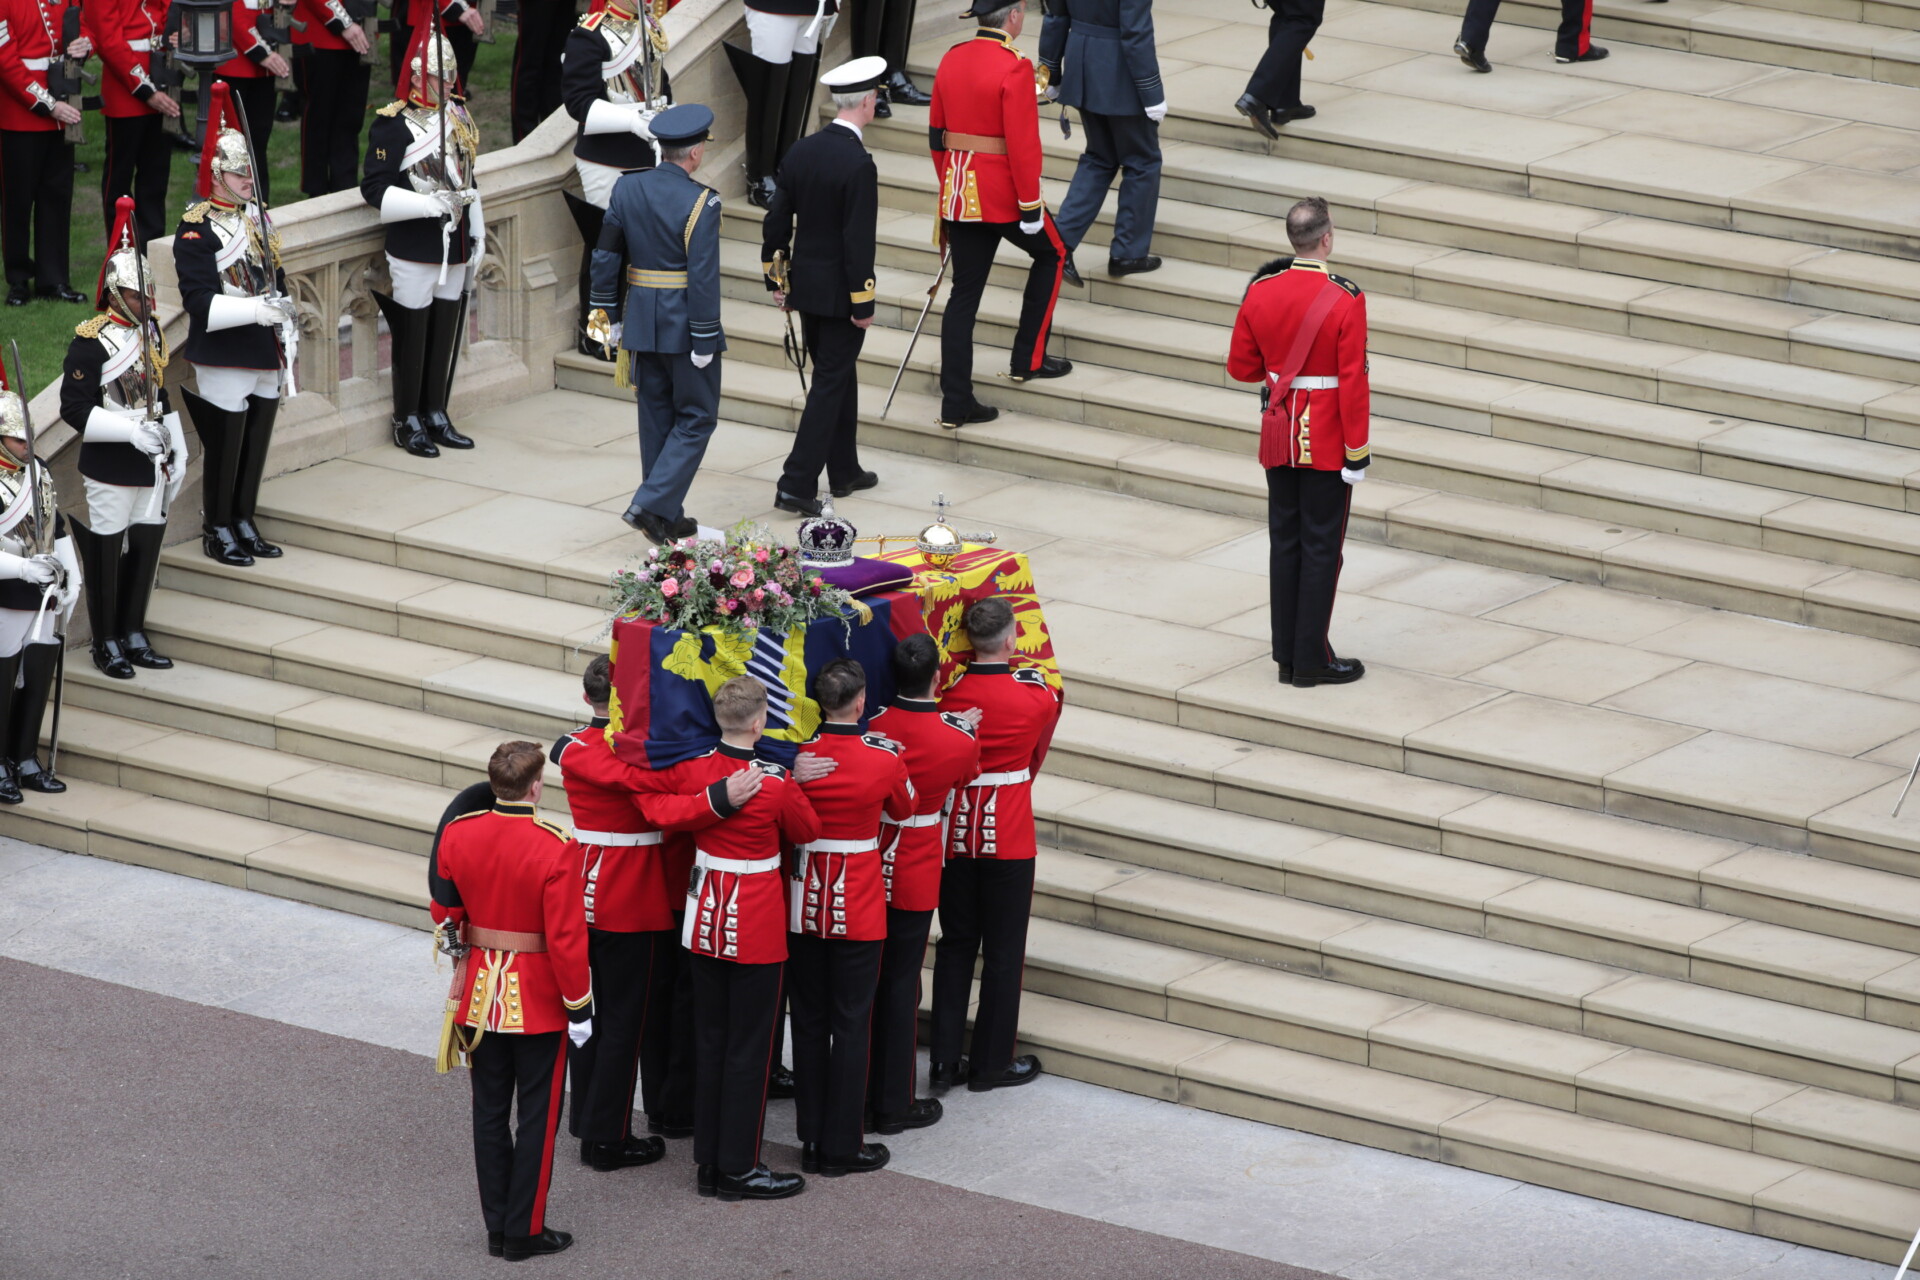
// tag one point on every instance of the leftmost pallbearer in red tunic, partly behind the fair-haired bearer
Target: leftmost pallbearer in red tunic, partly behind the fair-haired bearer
(633, 895)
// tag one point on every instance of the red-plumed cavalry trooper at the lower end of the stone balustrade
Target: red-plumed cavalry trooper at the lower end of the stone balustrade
(239, 339)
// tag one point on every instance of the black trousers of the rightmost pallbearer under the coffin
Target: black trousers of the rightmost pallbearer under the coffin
(984, 913)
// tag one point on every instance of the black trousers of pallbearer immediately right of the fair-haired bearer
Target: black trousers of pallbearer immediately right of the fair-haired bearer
(832, 993)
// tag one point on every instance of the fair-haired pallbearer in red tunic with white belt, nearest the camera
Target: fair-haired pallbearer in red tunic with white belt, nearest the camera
(736, 926)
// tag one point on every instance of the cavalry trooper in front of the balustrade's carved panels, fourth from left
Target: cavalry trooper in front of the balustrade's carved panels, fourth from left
(421, 178)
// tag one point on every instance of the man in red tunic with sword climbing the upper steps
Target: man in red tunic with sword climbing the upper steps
(986, 139)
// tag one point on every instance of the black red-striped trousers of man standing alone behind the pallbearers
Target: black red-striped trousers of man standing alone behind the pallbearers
(514, 1156)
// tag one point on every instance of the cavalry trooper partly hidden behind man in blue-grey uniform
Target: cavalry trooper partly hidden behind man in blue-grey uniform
(612, 85)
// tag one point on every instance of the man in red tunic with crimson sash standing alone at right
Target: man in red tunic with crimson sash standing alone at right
(1303, 337)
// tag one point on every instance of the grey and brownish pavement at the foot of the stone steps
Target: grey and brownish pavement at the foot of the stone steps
(181, 1106)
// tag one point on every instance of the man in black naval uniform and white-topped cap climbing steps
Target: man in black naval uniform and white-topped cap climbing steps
(828, 185)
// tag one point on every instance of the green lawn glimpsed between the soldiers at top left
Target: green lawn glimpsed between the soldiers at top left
(43, 329)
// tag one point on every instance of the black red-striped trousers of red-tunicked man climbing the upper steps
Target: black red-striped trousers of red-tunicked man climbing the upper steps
(972, 247)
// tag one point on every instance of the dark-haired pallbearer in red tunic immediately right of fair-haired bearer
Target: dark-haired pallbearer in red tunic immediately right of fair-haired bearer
(838, 914)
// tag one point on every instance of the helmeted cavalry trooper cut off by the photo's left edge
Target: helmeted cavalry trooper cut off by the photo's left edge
(39, 584)
